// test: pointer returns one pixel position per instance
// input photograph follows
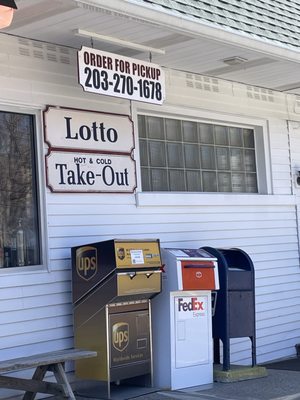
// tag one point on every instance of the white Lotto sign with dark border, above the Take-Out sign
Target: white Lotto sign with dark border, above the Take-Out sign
(87, 130)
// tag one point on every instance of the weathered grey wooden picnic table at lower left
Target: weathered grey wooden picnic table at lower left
(53, 362)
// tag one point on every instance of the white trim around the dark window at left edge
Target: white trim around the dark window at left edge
(41, 192)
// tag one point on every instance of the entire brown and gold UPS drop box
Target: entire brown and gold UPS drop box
(112, 284)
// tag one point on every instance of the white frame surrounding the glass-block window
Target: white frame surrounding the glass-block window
(262, 151)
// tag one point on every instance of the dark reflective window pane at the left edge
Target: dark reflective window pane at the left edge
(19, 225)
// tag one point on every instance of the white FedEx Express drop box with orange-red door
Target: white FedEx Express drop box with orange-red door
(182, 325)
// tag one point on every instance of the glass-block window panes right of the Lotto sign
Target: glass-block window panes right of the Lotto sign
(178, 155)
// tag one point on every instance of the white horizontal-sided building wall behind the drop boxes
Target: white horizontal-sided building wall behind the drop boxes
(36, 310)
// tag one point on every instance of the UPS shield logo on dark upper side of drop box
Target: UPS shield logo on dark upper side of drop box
(86, 262)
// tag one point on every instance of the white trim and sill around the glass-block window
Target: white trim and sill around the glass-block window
(203, 198)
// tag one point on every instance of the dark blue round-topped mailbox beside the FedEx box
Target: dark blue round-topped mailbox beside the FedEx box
(235, 312)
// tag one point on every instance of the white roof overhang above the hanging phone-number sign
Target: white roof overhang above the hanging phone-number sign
(187, 44)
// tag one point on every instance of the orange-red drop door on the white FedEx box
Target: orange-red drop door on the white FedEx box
(198, 275)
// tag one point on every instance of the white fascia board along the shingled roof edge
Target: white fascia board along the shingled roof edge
(135, 10)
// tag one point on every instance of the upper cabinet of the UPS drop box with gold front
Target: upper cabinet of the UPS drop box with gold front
(131, 267)
